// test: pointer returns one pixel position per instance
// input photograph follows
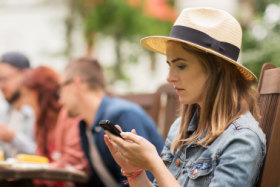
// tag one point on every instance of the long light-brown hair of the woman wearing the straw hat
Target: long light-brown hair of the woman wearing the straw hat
(228, 95)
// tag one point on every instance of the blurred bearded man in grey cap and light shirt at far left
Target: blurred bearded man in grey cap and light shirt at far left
(16, 122)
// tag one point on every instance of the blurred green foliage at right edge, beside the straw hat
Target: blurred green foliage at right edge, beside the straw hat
(258, 50)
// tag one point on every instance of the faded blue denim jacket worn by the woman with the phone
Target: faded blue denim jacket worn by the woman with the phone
(233, 159)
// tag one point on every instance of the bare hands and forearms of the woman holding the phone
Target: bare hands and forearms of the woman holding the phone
(134, 152)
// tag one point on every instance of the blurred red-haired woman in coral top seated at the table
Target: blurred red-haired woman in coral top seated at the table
(56, 134)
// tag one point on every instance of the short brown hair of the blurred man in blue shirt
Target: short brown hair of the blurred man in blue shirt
(89, 70)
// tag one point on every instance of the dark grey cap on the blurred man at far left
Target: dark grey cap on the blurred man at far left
(16, 59)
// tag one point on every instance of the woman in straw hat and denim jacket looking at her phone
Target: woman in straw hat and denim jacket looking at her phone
(216, 141)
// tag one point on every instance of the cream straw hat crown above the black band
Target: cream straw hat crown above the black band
(216, 23)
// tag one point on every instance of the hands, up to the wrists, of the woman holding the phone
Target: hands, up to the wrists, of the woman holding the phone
(136, 151)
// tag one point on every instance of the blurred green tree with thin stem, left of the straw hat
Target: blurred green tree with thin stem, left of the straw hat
(123, 22)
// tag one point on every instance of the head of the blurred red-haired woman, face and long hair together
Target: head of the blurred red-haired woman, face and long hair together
(40, 86)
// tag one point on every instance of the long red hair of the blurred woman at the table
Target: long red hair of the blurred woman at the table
(44, 81)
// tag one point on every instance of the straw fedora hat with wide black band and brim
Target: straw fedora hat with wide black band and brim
(212, 30)
